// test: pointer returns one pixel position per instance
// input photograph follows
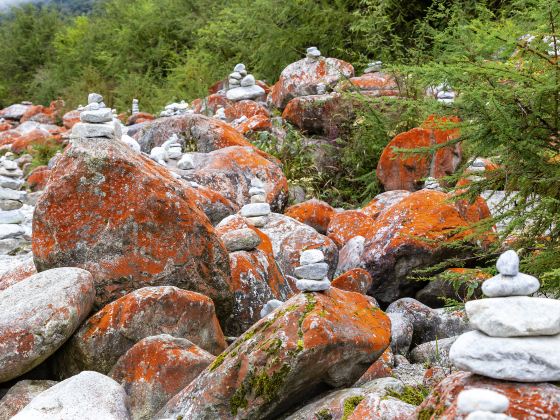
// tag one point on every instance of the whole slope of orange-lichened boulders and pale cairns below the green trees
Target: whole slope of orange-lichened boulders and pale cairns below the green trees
(155, 270)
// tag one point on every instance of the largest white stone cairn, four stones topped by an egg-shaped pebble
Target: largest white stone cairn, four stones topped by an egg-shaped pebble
(516, 337)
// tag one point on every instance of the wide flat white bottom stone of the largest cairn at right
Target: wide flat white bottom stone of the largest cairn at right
(522, 359)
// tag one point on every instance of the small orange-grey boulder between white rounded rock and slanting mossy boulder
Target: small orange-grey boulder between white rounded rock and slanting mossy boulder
(155, 369)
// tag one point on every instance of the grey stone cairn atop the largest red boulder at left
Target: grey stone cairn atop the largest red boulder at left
(97, 121)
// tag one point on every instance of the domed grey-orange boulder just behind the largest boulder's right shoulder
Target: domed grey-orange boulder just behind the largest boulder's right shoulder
(230, 171)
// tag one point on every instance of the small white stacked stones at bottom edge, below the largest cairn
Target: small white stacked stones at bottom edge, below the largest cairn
(482, 404)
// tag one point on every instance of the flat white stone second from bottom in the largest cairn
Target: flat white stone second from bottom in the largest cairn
(515, 316)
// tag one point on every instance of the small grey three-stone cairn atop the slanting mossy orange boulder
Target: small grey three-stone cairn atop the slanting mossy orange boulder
(312, 272)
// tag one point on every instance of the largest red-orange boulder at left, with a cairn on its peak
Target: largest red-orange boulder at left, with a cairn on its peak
(128, 221)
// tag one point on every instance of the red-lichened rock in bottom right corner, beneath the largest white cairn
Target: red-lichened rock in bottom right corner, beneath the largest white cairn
(526, 401)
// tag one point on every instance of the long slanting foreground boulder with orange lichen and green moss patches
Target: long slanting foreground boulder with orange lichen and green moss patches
(314, 339)
